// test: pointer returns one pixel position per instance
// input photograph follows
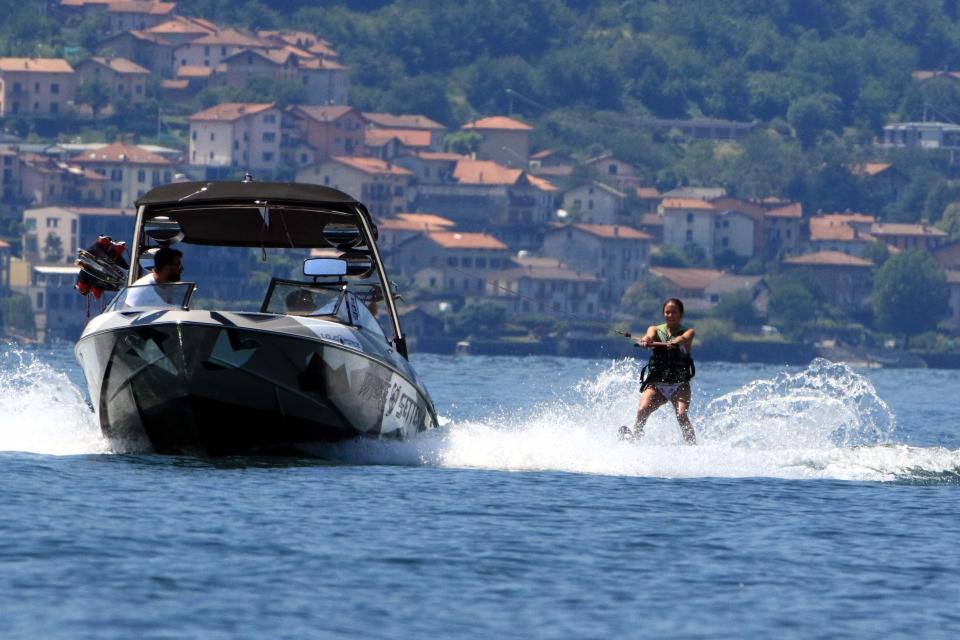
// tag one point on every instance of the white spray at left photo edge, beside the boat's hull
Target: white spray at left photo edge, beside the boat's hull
(42, 411)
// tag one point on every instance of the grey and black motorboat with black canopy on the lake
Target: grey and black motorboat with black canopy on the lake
(310, 367)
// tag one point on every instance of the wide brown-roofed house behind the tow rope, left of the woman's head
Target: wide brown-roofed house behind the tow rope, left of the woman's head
(529, 289)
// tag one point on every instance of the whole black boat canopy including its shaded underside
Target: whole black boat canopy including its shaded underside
(255, 214)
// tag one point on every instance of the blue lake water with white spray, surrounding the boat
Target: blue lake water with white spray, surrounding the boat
(822, 502)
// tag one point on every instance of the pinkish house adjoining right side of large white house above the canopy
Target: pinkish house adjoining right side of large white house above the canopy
(331, 131)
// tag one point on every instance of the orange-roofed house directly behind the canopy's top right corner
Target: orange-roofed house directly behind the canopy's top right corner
(383, 187)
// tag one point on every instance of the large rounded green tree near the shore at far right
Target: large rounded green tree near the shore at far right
(910, 294)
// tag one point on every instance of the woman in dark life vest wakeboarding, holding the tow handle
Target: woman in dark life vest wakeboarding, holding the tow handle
(666, 378)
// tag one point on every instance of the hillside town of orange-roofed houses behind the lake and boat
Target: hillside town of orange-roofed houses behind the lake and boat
(472, 214)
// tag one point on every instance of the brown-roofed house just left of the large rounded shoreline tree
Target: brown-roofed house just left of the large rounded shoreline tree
(846, 281)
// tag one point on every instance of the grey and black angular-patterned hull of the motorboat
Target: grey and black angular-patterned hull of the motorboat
(211, 389)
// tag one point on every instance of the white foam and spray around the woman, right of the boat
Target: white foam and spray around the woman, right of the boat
(826, 422)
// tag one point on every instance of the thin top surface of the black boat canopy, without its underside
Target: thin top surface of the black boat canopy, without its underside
(240, 192)
